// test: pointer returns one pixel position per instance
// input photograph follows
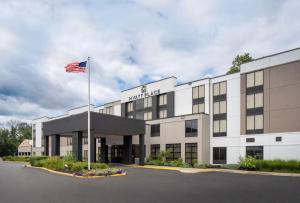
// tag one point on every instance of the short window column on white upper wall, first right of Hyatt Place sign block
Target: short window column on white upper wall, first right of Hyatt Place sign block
(198, 99)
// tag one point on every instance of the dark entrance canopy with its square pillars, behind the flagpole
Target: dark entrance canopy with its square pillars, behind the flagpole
(102, 126)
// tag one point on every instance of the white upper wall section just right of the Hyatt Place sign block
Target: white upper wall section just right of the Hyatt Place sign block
(184, 97)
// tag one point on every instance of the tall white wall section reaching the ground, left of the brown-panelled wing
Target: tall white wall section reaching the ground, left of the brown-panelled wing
(232, 140)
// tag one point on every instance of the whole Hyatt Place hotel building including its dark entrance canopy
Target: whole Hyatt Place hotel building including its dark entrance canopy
(209, 121)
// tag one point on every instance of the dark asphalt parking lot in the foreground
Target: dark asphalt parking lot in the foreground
(19, 184)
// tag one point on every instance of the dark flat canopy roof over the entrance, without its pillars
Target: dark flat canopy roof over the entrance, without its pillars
(100, 123)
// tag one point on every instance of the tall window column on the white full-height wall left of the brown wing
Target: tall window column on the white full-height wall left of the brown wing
(220, 109)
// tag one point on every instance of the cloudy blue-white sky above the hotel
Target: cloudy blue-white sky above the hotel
(130, 42)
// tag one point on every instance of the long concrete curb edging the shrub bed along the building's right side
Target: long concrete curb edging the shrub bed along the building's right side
(195, 170)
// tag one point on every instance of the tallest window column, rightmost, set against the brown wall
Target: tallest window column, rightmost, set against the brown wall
(254, 103)
